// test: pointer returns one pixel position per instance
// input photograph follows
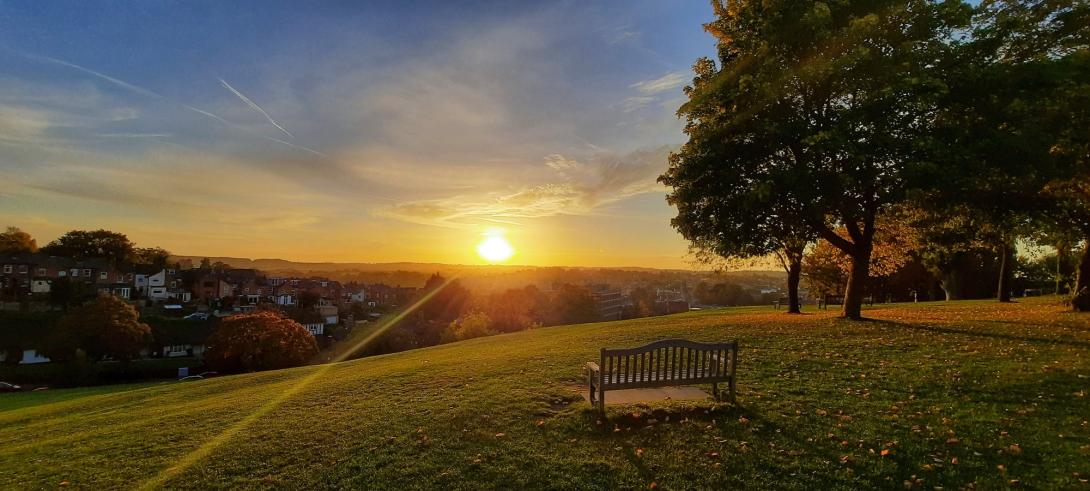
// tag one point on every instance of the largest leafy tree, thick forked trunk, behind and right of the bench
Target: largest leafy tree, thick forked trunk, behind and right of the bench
(816, 107)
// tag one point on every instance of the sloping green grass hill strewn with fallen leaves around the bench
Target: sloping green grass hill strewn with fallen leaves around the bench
(938, 394)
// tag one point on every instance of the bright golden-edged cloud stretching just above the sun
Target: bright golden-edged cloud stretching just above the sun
(578, 189)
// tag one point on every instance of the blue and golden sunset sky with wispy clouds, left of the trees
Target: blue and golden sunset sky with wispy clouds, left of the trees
(397, 131)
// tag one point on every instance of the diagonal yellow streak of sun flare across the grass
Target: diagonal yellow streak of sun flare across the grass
(200, 453)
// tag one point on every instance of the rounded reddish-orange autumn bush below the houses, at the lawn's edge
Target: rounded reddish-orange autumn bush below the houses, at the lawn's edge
(260, 341)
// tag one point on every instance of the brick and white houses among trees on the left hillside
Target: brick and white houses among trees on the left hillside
(42, 283)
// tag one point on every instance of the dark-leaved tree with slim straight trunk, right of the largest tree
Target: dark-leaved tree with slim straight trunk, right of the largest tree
(999, 126)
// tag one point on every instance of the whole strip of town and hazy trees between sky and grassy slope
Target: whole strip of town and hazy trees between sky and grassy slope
(183, 298)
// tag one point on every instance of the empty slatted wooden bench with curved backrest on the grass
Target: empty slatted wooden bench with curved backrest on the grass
(663, 364)
